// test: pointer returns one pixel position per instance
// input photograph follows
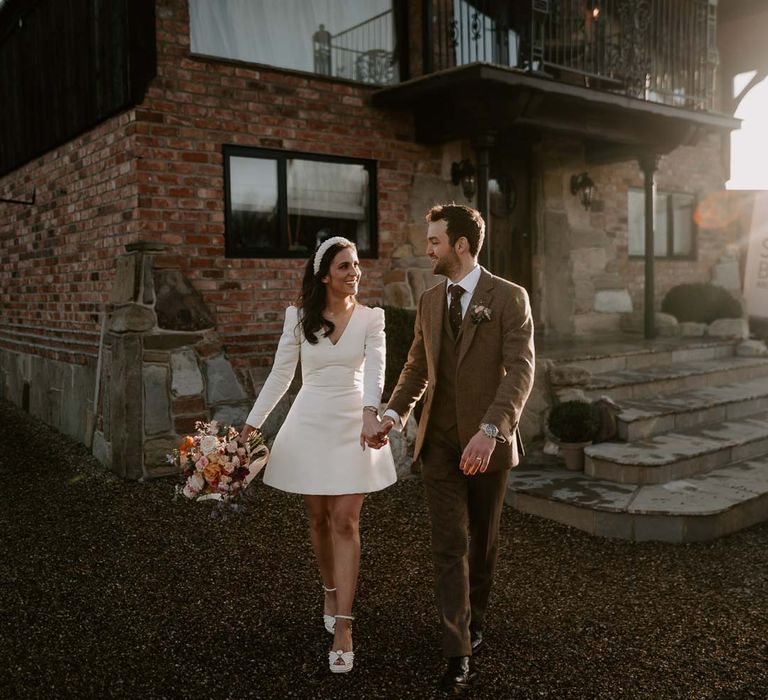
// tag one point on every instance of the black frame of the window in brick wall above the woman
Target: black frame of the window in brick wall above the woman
(281, 157)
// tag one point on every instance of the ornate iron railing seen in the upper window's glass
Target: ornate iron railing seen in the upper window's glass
(363, 52)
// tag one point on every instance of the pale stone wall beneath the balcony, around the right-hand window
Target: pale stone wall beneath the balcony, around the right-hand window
(584, 278)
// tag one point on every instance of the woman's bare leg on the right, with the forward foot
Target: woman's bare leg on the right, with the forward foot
(345, 532)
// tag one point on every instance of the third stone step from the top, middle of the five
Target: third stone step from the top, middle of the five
(642, 418)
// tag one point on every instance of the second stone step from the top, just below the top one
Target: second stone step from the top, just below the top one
(673, 378)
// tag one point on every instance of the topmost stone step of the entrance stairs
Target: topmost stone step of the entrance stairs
(628, 356)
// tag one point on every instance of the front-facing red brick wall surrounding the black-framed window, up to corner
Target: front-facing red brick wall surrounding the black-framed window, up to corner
(197, 105)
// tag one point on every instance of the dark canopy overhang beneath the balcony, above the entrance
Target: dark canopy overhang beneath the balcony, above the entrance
(469, 101)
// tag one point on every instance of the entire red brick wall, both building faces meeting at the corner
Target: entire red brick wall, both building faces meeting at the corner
(156, 173)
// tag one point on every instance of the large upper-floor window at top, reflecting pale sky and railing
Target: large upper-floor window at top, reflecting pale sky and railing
(353, 39)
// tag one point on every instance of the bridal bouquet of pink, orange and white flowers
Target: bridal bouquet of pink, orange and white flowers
(218, 467)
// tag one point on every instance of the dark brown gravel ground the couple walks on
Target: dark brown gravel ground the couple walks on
(110, 589)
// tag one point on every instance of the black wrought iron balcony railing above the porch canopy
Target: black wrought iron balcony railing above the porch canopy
(657, 50)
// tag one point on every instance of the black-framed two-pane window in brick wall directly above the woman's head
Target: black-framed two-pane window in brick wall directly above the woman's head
(282, 204)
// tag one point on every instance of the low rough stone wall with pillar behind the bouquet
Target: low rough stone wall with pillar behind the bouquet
(165, 366)
